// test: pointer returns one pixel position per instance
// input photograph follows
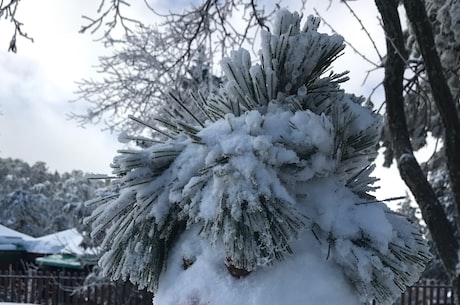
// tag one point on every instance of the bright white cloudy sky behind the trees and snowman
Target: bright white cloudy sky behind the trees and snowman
(37, 83)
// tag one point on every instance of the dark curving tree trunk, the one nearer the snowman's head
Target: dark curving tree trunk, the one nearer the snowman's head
(442, 232)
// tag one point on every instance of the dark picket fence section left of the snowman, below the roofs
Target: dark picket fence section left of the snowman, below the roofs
(49, 288)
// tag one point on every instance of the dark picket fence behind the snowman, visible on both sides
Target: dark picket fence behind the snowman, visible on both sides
(47, 288)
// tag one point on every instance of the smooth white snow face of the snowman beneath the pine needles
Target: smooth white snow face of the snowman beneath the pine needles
(304, 278)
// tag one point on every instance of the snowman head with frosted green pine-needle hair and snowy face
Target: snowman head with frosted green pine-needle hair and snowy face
(266, 202)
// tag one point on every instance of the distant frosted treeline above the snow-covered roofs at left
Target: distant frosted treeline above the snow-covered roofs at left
(37, 202)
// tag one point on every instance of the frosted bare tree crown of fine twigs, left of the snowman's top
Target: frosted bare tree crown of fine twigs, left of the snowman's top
(151, 60)
